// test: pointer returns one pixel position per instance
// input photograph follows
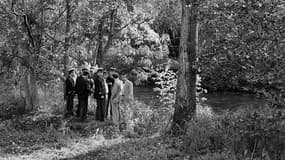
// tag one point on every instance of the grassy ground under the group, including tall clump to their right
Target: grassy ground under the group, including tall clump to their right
(46, 135)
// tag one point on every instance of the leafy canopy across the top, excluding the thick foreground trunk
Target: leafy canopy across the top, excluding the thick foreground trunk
(241, 42)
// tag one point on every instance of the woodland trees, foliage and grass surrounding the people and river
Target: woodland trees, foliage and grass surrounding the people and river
(183, 49)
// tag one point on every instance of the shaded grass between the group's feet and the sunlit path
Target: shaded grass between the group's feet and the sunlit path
(31, 133)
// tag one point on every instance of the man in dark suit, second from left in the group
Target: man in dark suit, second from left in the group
(83, 90)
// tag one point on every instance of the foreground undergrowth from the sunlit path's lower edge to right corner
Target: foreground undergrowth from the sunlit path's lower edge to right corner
(248, 134)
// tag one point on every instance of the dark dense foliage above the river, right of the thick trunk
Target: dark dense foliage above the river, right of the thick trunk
(242, 46)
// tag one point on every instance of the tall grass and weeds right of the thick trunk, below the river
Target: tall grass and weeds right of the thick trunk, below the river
(245, 134)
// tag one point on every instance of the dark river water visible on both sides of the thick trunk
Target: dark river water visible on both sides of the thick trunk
(218, 102)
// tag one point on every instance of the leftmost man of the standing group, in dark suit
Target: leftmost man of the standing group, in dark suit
(69, 91)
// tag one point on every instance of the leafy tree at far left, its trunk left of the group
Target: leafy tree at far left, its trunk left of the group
(26, 45)
